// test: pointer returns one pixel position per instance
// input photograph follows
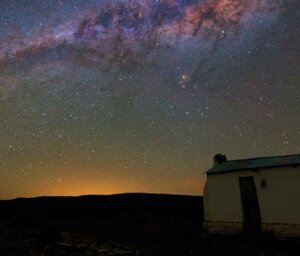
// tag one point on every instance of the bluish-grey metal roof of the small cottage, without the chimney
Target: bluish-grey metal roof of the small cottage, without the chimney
(254, 163)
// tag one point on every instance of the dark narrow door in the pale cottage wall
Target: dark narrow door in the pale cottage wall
(250, 206)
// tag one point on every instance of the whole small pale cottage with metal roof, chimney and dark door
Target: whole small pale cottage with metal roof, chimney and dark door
(253, 195)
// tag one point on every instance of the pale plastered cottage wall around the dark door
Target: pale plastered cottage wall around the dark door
(279, 201)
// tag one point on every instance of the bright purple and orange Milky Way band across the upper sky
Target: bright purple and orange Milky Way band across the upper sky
(126, 31)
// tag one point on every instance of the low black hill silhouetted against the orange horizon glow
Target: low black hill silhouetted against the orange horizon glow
(126, 206)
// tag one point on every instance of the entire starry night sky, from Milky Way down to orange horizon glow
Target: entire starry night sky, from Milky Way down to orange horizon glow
(102, 97)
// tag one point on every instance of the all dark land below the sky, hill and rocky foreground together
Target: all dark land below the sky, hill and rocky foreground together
(131, 224)
